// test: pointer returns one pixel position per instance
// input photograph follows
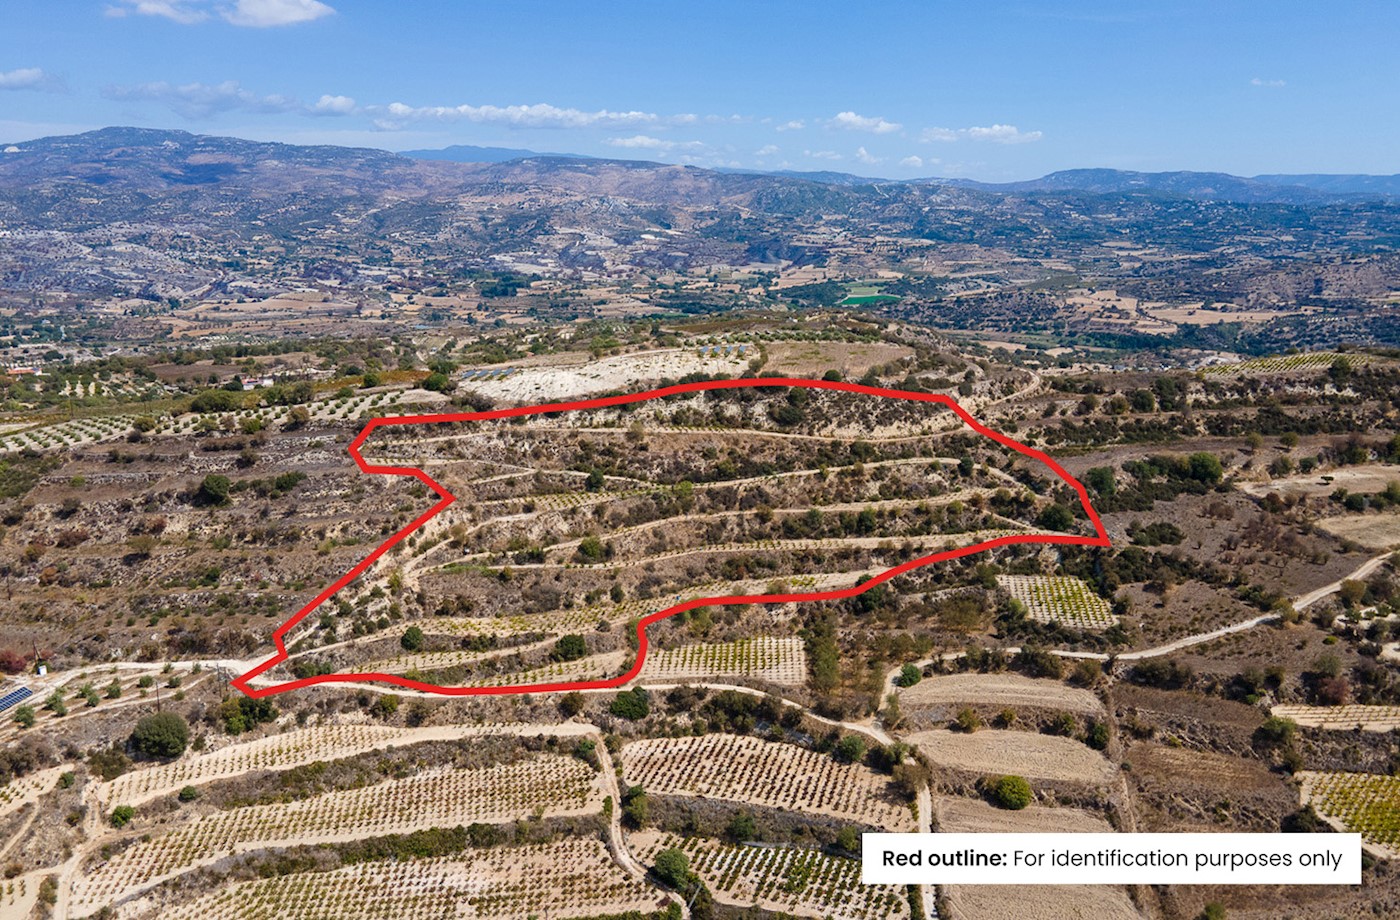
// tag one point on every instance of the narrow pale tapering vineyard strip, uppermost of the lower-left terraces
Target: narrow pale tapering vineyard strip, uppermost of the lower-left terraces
(275, 753)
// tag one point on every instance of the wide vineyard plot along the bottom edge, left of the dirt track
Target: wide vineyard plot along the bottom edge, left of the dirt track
(568, 879)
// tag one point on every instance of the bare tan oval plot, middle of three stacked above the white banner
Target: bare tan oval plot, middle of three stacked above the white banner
(1021, 753)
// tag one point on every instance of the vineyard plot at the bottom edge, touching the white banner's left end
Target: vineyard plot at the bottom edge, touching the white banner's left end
(792, 880)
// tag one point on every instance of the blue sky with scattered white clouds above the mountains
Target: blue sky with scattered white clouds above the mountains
(986, 90)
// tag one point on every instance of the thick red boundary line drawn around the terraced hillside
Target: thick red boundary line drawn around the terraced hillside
(446, 499)
